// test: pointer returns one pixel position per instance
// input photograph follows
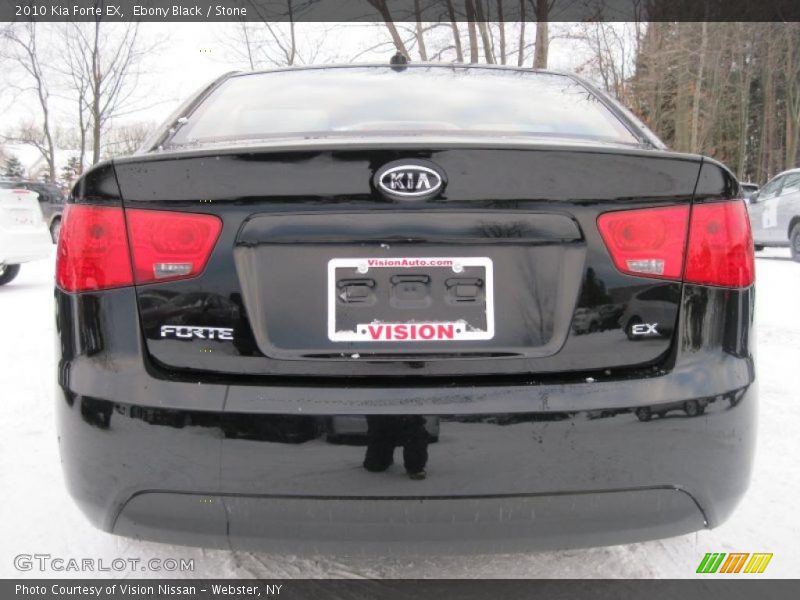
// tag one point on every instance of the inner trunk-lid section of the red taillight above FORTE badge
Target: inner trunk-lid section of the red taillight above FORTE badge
(170, 245)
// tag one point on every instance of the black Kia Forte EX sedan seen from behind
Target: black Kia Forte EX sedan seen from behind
(405, 308)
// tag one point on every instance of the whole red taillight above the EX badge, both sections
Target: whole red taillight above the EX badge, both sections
(650, 242)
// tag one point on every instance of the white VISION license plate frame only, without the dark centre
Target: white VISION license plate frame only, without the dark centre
(414, 331)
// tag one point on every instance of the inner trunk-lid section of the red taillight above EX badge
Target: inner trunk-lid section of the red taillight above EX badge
(647, 242)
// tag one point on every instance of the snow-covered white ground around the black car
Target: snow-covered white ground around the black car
(37, 516)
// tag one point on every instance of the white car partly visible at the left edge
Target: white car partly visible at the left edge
(24, 235)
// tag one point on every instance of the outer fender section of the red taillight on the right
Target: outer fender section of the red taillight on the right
(720, 245)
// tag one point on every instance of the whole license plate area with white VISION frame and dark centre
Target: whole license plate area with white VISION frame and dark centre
(439, 314)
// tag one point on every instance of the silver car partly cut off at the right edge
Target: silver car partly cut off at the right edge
(775, 213)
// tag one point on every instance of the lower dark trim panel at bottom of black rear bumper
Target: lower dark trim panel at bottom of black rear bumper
(405, 526)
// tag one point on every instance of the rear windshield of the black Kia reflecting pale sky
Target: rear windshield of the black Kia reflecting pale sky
(379, 100)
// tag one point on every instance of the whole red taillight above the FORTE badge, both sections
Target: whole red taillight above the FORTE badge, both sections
(94, 252)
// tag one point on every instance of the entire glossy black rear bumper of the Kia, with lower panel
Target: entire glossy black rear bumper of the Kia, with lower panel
(516, 466)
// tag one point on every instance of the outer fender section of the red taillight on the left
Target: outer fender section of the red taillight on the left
(92, 249)
